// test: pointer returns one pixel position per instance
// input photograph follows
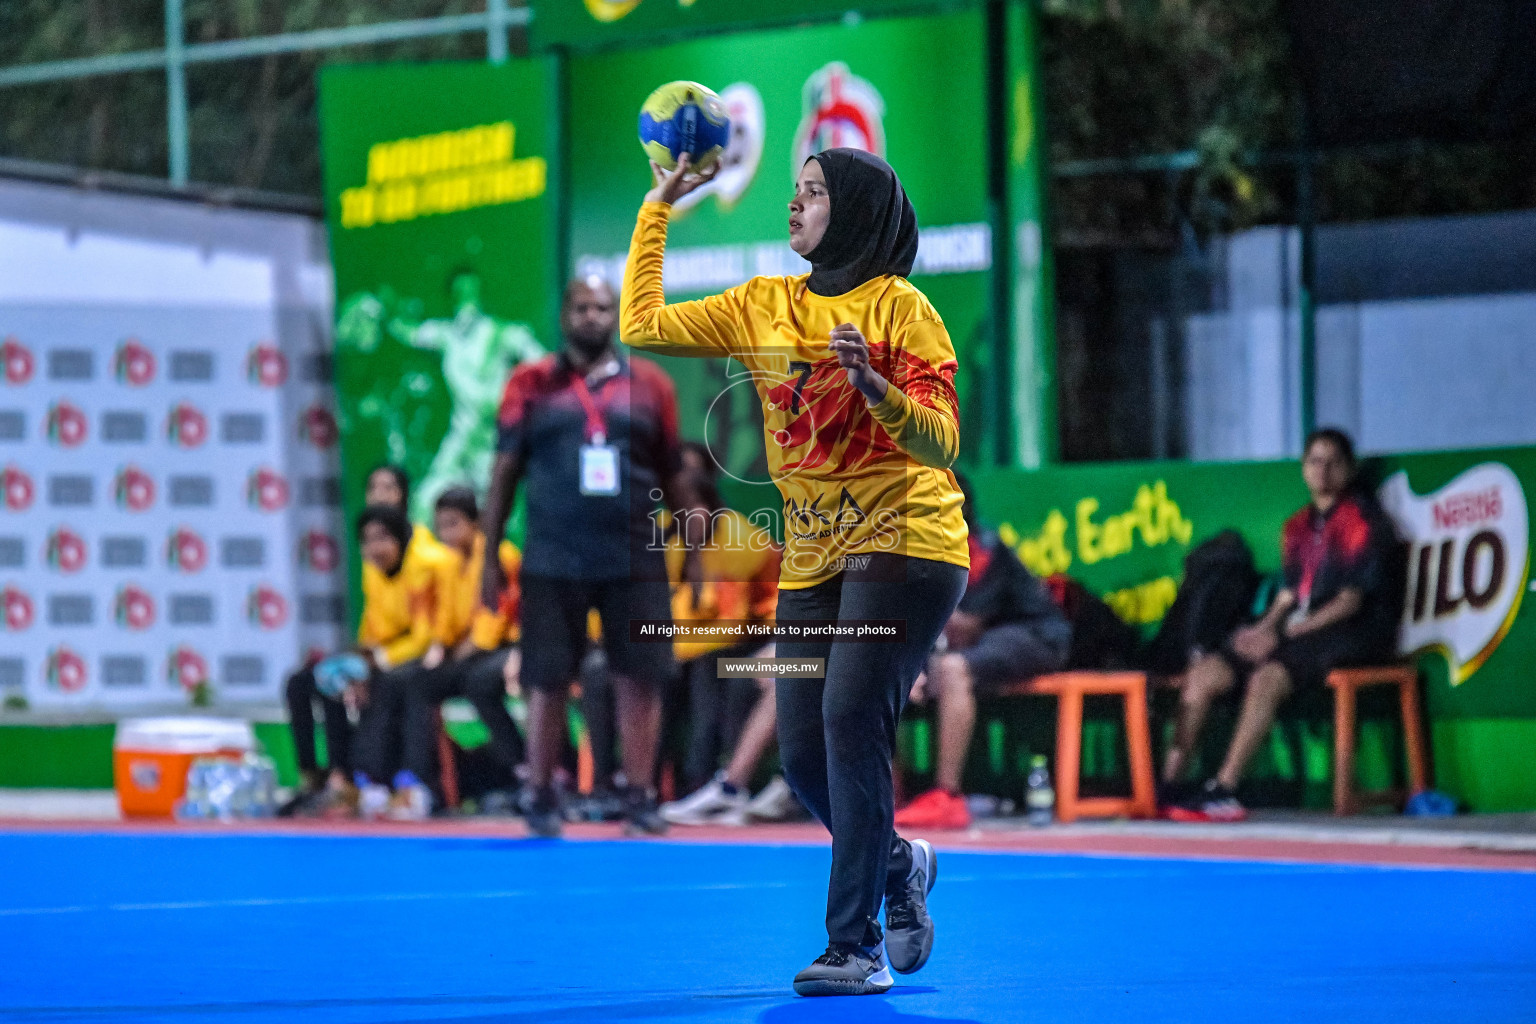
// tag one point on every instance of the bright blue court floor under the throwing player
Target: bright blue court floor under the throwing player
(248, 930)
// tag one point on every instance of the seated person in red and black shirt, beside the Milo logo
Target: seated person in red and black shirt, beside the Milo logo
(1337, 609)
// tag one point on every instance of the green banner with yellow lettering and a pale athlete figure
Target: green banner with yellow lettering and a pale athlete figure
(442, 208)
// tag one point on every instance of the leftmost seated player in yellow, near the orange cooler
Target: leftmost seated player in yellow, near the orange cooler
(405, 586)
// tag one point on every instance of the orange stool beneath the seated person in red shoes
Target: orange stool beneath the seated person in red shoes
(1070, 689)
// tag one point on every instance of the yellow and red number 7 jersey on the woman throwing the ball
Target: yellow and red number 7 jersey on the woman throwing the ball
(855, 478)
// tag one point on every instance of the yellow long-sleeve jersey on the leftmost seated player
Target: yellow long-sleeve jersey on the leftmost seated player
(403, 613)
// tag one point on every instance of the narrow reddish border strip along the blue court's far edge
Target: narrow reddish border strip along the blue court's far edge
(982, 842)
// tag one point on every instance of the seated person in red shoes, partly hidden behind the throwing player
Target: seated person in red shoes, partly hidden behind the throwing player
(1007, 629)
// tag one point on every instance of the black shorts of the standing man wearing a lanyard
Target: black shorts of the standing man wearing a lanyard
(555, 629)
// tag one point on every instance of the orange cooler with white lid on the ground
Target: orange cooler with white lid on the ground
(151, 759)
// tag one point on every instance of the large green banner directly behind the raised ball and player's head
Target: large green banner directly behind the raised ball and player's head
(790, 93)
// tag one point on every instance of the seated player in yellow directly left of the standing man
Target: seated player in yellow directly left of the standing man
(472, 656)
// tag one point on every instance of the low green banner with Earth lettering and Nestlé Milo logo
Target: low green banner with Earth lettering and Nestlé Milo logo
(1124, 530)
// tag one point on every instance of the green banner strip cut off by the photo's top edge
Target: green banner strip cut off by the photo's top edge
(586, 24)
